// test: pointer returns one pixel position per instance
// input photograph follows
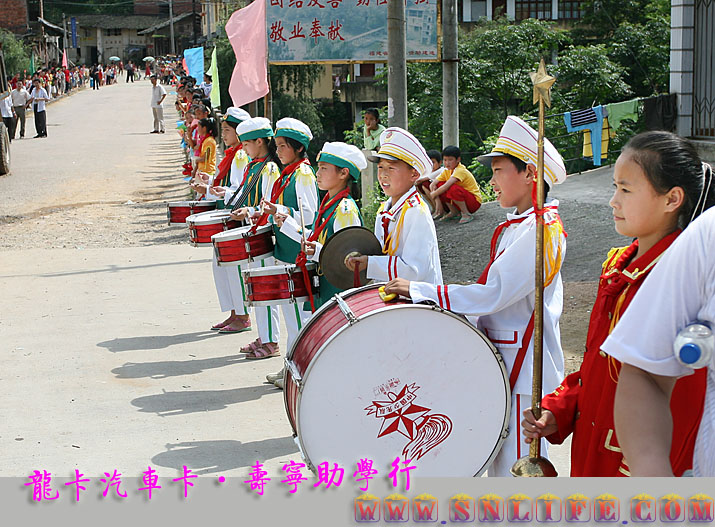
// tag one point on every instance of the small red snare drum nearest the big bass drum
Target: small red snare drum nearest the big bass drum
(279, 284)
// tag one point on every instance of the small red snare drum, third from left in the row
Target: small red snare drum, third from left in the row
(240, 246)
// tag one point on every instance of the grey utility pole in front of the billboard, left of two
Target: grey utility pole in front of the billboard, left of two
(396, 64)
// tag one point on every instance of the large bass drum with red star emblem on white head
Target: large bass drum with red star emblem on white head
(366, 379)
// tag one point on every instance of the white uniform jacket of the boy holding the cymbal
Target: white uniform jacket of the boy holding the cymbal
(414, 254)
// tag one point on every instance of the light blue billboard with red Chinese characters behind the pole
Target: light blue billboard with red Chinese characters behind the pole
(345, 30)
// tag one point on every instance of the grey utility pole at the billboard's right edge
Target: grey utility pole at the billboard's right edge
(450, 76)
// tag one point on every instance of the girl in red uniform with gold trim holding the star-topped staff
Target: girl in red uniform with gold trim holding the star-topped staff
(659, 180)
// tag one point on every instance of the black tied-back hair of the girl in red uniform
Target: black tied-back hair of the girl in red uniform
(670, 161)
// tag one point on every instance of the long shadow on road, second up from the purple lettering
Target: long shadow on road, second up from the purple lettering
(191, 401)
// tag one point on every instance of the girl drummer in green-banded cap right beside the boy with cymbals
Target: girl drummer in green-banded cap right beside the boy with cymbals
(339, 167)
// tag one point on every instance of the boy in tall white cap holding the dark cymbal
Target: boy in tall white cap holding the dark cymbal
(404, 223)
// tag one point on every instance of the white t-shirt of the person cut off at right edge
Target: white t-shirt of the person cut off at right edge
(679, 291)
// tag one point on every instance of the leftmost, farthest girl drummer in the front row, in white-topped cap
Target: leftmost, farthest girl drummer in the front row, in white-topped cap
(223, 186)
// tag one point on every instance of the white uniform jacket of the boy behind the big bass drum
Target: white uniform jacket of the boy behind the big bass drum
(505, 303)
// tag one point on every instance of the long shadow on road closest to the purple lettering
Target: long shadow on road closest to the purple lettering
(206, 457)
